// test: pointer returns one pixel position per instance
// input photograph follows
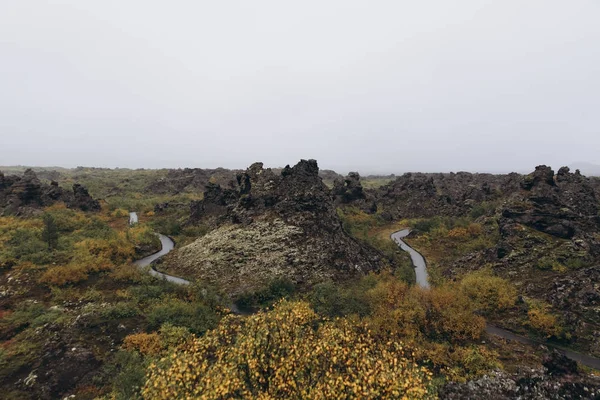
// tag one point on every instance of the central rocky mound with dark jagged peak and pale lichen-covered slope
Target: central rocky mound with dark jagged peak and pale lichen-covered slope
(273, 225)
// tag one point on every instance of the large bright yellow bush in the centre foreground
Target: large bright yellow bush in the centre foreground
(286, 353)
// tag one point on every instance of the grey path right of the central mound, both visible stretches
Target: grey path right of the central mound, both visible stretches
(422, 280)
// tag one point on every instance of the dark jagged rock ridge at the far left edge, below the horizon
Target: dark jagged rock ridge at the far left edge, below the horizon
(25, 194)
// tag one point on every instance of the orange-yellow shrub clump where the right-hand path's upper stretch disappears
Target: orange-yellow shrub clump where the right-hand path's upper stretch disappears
(439, 324)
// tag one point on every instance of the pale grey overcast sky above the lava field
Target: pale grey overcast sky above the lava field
(370, 85)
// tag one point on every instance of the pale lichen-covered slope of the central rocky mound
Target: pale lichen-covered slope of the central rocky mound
(239, 258)
